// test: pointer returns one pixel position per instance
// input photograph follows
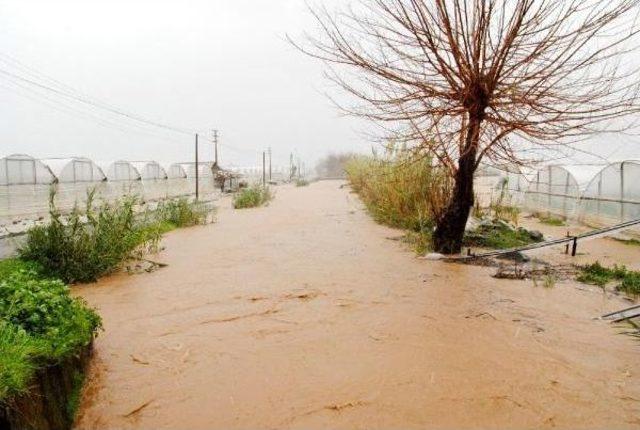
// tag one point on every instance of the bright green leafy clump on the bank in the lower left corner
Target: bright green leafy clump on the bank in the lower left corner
(40, 324)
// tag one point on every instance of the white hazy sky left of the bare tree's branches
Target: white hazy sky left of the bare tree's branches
(194, 64)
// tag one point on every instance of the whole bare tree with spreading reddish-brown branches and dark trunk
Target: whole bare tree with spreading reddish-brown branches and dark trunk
(467, 81)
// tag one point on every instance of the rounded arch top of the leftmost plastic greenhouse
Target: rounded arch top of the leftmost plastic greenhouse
(22, 169)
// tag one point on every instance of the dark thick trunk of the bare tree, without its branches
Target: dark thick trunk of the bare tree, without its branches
(447, 238)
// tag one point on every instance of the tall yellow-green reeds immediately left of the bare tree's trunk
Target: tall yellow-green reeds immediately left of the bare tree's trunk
(402, 191)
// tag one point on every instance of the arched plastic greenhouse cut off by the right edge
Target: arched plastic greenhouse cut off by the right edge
(613, 195)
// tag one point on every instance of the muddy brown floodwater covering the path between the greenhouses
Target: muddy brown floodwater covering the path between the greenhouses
(306, 314)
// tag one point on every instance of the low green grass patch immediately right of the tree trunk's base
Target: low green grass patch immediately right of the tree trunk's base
(500, 235)
